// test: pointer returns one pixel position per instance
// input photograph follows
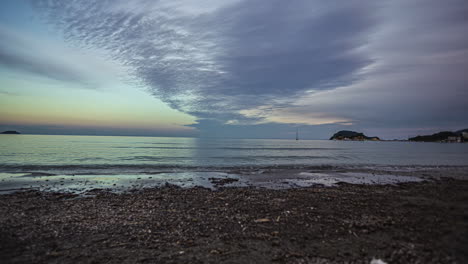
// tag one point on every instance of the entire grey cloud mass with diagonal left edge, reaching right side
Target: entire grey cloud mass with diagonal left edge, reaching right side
(367, 63)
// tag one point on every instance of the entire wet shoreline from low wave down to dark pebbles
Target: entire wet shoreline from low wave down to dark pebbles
(118, 179)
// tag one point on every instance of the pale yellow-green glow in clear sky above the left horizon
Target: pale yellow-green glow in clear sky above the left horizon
(118, 108)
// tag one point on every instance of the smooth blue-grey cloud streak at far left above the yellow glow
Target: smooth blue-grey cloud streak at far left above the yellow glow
(43, 56)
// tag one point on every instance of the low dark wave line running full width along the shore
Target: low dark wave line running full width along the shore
(151, 168)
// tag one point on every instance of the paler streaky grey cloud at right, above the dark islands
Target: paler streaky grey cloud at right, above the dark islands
(417, 80)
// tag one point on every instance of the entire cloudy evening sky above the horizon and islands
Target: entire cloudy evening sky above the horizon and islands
(234, 68)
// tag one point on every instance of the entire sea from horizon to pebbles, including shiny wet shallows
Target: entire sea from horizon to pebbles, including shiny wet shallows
(84, 163)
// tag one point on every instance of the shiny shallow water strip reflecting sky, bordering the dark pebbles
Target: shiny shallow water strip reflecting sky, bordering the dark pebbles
(82, 183)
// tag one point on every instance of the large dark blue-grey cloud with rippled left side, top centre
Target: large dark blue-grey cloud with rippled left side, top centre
(221, 59)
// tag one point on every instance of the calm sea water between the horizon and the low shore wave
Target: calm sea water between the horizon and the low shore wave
(53, 151)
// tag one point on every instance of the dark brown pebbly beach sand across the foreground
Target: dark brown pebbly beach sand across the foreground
(425, 222)
